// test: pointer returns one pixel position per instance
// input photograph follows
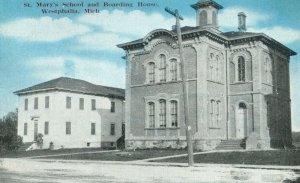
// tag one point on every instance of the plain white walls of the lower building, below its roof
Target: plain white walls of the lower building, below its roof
(58, 115)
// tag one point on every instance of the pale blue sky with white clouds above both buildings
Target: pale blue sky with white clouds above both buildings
(35, 48)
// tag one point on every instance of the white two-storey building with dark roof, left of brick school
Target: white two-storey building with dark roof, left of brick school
(71, 113)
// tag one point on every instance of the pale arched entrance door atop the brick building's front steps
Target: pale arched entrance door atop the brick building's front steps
(241, 121)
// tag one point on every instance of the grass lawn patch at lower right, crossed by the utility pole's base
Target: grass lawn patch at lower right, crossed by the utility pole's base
(272, 157)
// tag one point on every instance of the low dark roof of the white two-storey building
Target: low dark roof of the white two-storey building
(76, 86)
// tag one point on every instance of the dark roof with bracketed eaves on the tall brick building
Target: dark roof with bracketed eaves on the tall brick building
(227, 38)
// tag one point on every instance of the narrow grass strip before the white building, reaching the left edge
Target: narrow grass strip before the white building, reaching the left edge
(20, 154)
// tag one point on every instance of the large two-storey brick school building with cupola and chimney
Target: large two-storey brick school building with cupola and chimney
(238, 86)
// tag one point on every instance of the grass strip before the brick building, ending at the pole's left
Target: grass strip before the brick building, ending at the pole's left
(122, 155)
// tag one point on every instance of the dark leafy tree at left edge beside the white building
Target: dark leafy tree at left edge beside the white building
(9, 139)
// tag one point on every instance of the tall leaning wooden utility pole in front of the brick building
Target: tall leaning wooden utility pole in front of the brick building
(184, 87)
